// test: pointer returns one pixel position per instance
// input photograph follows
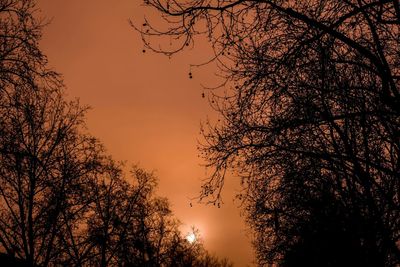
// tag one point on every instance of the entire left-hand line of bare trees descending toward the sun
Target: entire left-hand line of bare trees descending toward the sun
(63, 200)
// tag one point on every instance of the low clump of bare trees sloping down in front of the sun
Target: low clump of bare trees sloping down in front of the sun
(126, 224)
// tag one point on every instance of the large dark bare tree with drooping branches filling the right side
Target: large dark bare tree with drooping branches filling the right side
(310, 120)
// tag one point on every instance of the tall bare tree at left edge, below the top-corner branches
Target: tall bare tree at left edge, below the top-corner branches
(44, 165)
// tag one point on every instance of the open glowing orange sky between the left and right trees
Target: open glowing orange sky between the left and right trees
(145, 108)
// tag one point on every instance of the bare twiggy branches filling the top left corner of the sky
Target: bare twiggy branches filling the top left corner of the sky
(21, 60)
